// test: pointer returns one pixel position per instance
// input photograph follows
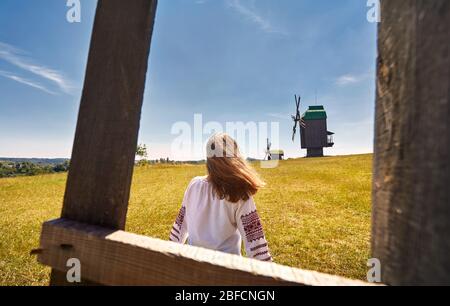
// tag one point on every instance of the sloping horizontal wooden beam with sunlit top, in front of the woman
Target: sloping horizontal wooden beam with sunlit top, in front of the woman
(112, 257)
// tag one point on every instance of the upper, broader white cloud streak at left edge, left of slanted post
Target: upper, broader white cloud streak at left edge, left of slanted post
(15, 57)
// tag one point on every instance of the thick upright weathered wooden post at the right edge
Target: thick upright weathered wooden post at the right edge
(411, 209)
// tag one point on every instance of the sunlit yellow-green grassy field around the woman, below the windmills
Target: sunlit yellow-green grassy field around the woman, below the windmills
(315, 212)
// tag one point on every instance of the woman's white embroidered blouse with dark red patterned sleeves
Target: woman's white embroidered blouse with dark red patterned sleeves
(207, 221)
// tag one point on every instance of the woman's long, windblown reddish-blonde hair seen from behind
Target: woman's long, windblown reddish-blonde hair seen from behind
(231, 176)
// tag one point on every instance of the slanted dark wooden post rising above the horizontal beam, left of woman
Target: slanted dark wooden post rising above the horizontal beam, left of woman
(101, 169)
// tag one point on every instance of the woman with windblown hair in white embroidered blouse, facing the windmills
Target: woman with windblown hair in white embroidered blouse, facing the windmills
(218, 210)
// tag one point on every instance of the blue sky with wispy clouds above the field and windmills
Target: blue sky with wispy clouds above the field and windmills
(230, 60)
